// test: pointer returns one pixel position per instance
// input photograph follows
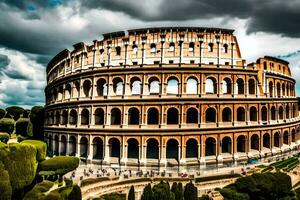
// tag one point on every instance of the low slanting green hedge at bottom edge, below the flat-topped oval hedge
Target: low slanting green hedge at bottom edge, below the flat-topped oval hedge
(38, 190)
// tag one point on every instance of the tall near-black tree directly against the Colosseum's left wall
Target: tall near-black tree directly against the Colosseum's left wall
(37, 119)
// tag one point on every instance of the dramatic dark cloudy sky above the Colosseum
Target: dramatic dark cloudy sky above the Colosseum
(33, 31)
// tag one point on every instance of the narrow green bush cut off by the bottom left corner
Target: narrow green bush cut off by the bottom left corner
(5, 187)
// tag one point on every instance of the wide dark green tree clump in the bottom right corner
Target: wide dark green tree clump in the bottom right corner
(260, 187)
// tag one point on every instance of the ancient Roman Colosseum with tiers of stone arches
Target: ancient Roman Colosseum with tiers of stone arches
(169, 96)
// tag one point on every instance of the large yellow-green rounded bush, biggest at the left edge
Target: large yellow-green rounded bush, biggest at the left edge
(20, 162)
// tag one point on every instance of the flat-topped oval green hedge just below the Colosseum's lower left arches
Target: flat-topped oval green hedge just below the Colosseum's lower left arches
(58, 165)
